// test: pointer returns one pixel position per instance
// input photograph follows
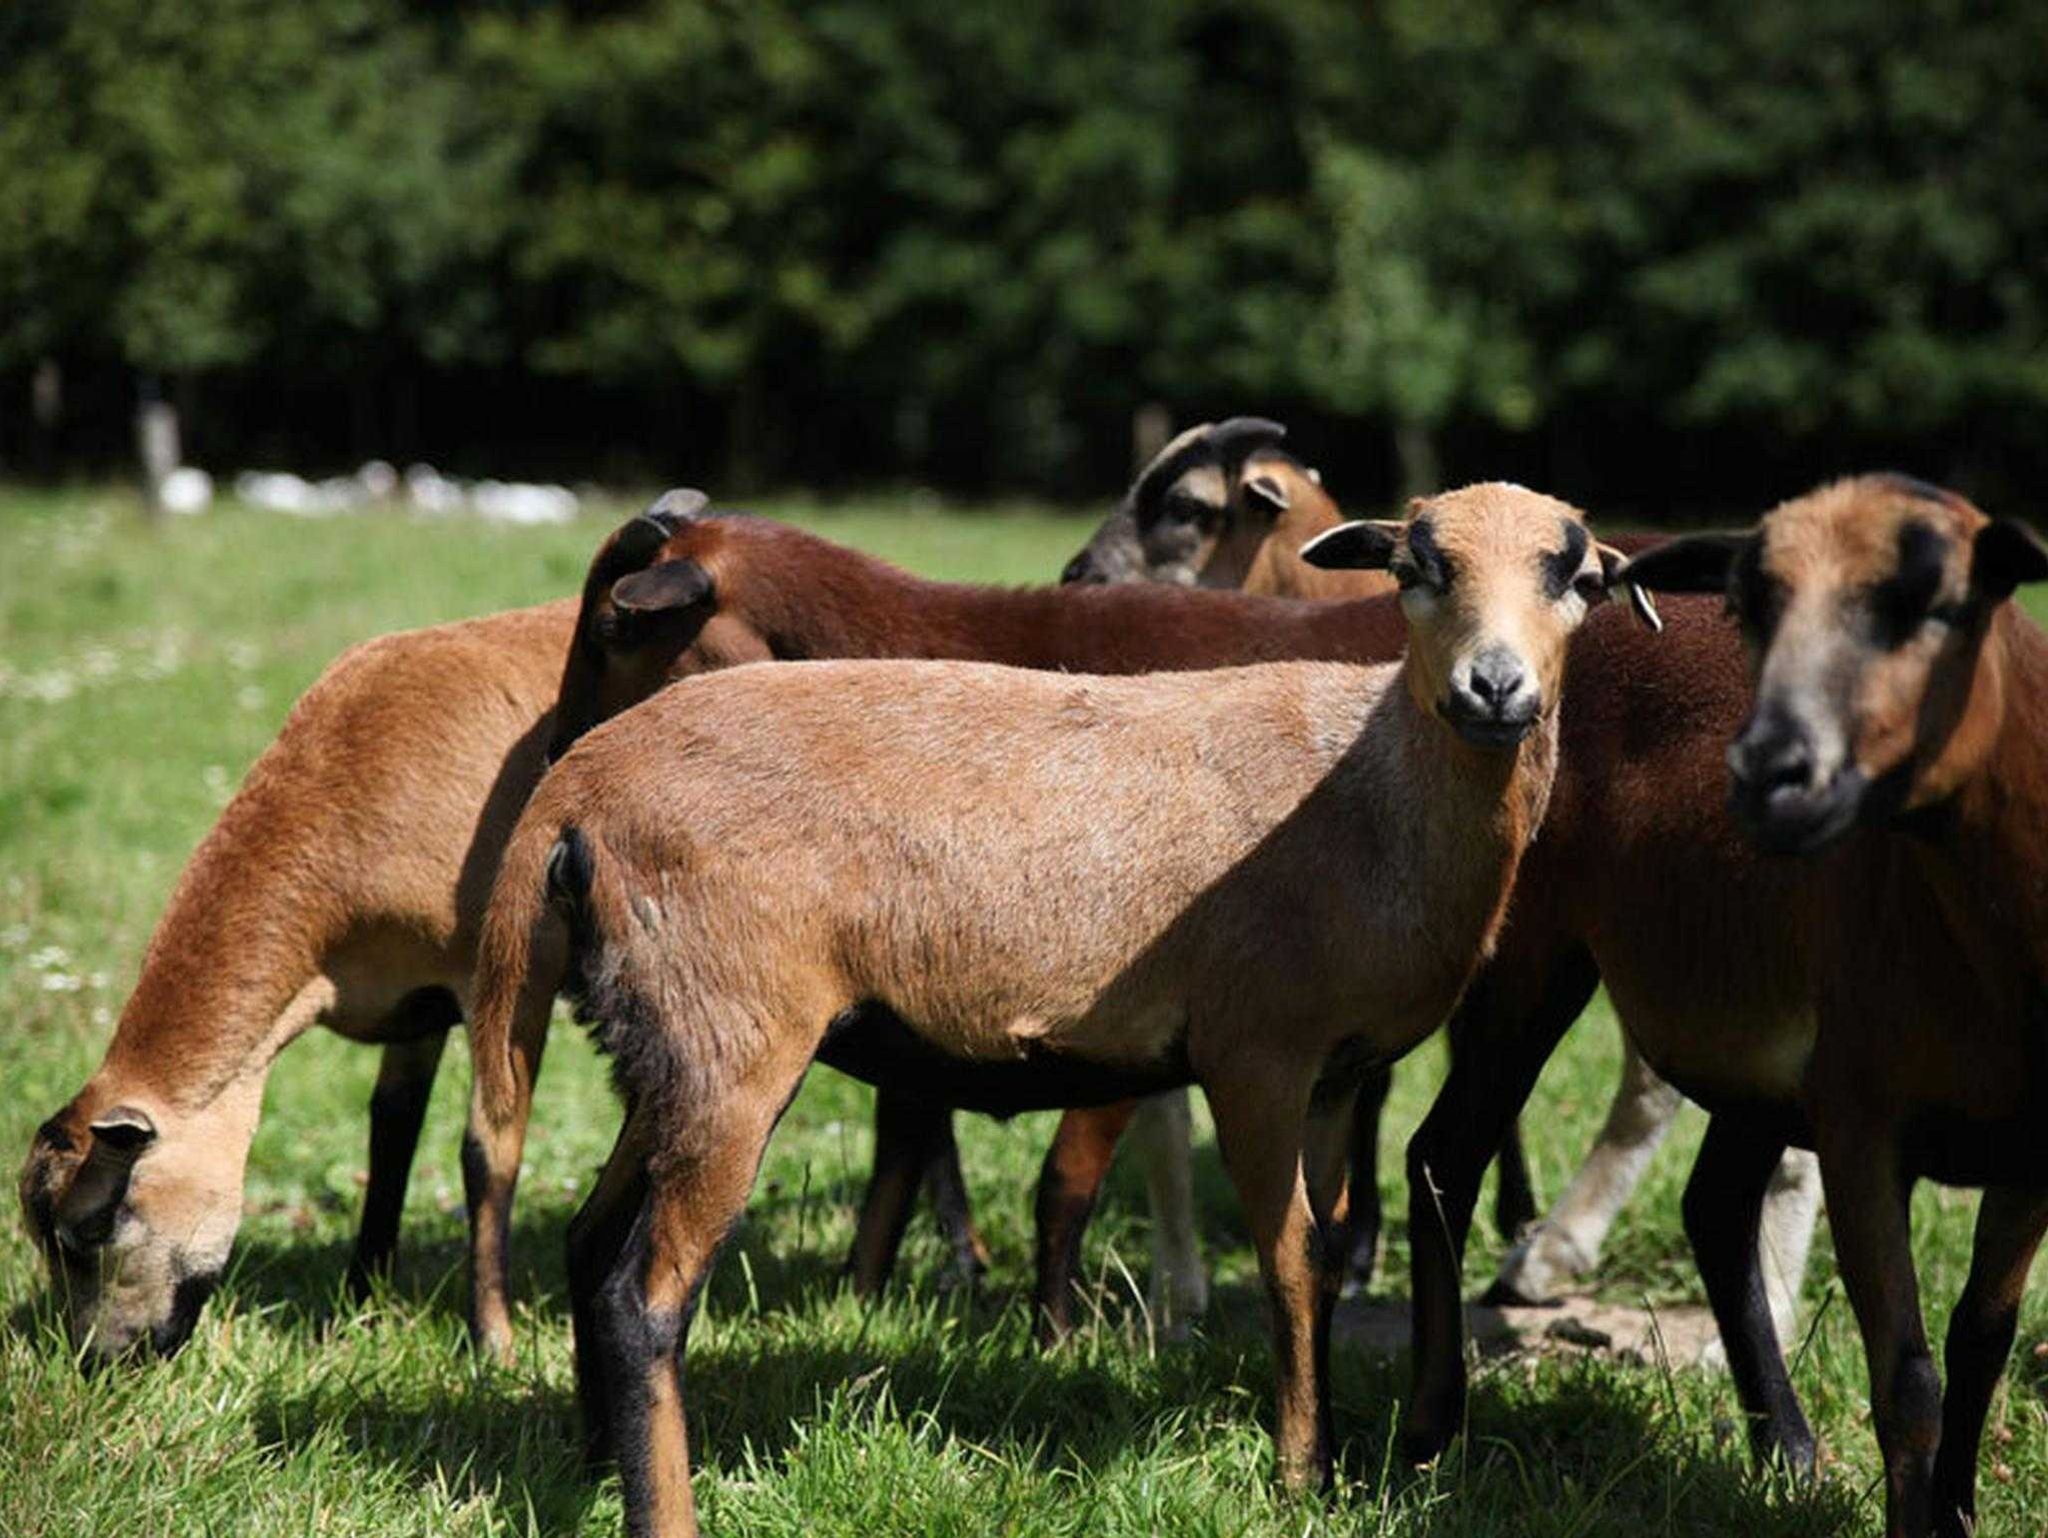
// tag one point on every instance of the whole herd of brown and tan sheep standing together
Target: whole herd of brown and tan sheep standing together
(1256, 800)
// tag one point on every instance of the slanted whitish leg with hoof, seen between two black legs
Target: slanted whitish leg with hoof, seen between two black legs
(1566, 1246)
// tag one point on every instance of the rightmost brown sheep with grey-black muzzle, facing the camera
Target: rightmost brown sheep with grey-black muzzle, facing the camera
(1900, 742)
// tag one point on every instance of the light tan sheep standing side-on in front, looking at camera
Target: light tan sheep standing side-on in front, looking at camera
(1025, 890)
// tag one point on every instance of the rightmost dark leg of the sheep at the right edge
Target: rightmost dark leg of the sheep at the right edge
(2010, 1230)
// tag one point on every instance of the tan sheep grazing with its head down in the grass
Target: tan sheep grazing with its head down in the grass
(343, 886)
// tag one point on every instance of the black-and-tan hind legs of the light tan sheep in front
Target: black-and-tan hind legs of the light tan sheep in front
(671, 1195)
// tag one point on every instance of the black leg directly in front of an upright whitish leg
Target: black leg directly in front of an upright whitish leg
(1723, 1217)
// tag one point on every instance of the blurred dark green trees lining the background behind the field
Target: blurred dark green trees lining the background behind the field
(1658, 257)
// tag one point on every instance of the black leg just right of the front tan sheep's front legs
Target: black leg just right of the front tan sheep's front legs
(1488, 1084)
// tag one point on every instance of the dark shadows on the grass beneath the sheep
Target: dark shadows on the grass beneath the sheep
(1590, 1449)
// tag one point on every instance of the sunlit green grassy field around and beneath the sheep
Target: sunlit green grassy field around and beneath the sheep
(140, 673)
